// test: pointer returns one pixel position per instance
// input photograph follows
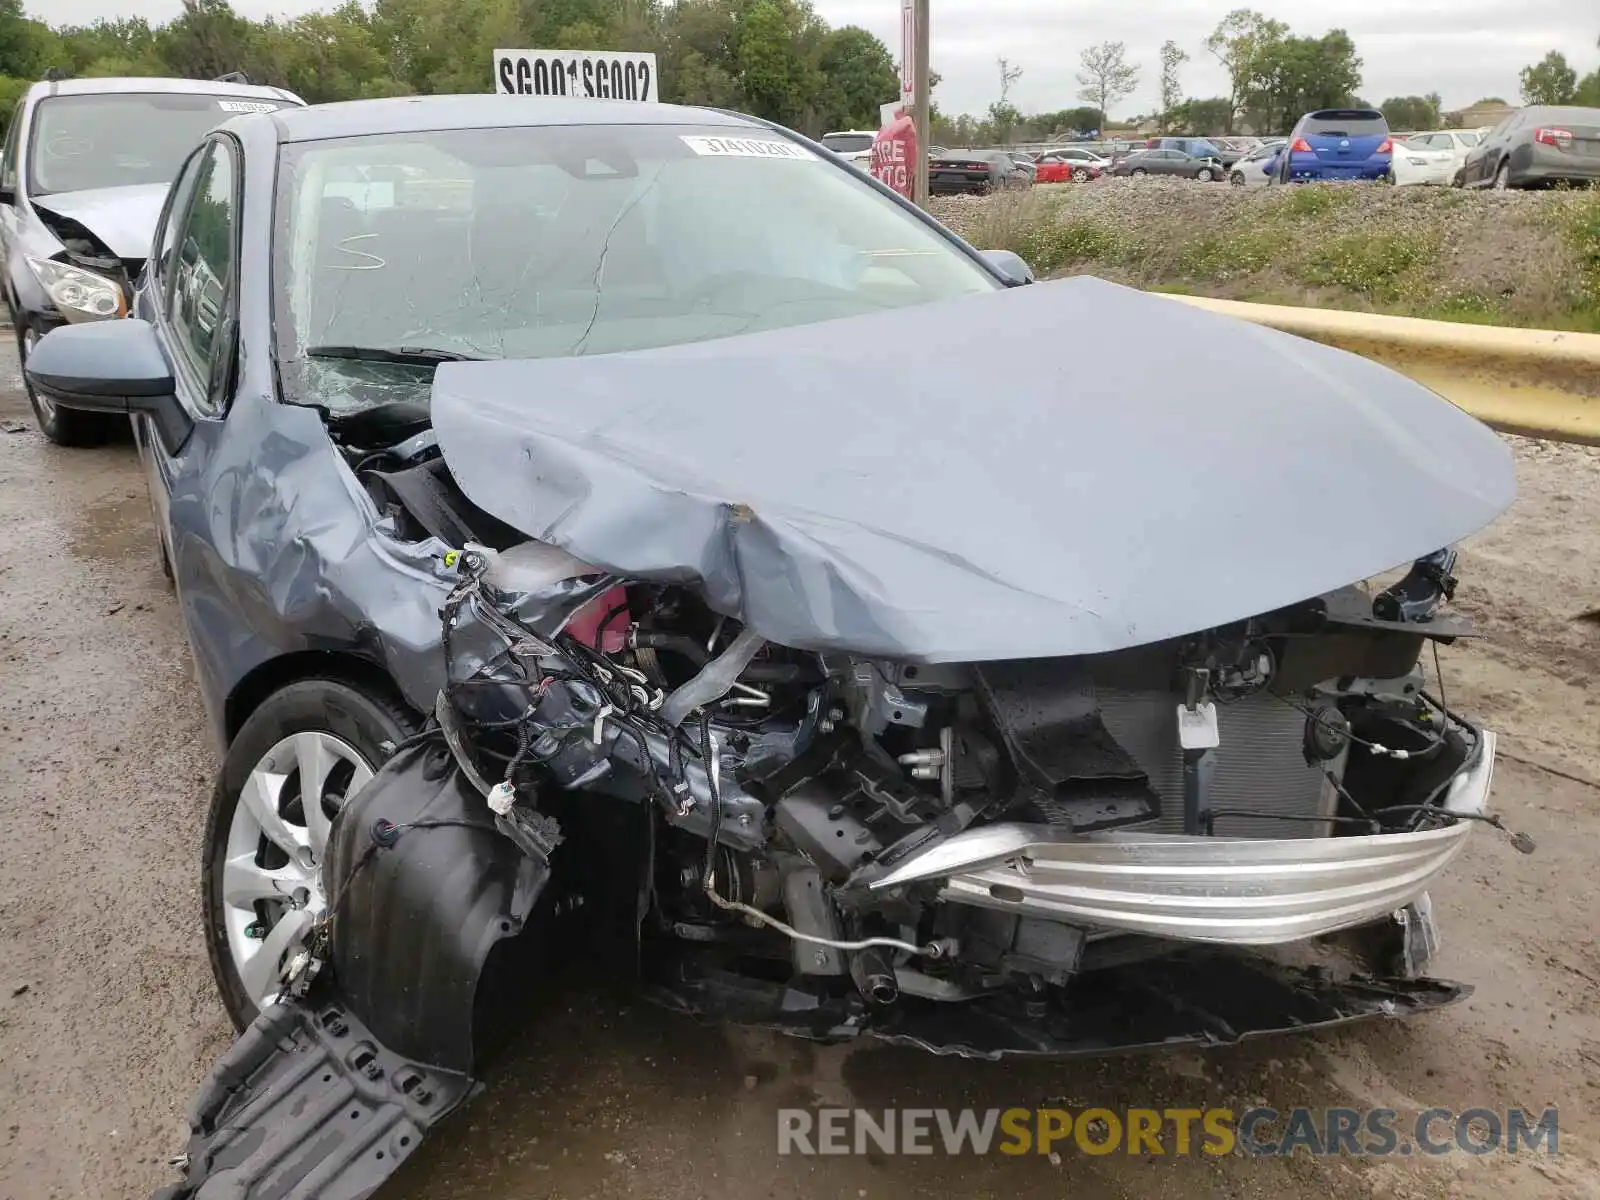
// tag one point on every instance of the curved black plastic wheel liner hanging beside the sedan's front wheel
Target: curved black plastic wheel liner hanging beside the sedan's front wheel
(426, 906)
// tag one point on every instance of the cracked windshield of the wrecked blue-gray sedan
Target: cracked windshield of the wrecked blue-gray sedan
(570, 241)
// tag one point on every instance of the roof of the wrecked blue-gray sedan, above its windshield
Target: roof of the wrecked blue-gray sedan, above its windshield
(486, 111)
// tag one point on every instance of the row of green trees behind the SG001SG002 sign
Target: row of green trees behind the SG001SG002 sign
(775, 58)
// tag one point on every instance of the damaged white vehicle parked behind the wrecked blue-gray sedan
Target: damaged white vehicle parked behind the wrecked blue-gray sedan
(82, 178)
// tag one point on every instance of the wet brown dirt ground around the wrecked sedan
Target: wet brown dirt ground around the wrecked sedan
(108, 1017)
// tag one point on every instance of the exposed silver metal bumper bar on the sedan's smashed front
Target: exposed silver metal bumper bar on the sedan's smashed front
(1238, 892)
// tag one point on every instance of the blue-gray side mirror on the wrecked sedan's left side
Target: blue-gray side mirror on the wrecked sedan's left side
(111, 367)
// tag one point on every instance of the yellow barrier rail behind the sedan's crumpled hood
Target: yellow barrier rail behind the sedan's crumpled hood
(1542, 383)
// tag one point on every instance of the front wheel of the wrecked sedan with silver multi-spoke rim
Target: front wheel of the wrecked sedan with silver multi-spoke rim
(260, 884)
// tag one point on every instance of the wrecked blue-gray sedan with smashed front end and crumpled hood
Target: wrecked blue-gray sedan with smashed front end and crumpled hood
(580, 548)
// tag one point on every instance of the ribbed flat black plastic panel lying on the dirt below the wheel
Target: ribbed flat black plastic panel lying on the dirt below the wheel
(308, 1106)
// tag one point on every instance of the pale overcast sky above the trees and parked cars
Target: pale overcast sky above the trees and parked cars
(1462, 49)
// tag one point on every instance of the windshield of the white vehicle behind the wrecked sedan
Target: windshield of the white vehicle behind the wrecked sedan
(116, 140)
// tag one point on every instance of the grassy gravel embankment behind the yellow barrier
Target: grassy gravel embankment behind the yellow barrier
(1526, 260)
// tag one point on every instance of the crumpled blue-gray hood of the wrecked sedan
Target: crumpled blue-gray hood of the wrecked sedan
(892, 486)
